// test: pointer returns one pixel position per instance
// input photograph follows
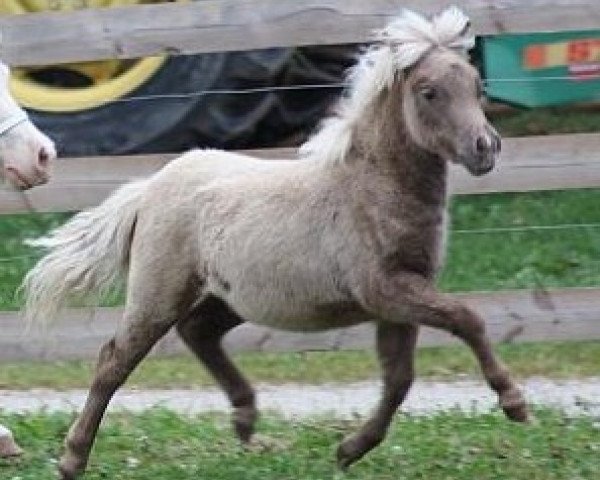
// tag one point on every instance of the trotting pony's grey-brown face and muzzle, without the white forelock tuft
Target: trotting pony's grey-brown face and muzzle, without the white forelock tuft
(443, 111)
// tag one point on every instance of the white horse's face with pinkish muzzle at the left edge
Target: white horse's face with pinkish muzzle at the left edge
(26, 154)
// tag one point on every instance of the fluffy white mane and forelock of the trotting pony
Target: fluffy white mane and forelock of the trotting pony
(402, 43)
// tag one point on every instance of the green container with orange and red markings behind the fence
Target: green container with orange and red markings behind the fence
(542, 69)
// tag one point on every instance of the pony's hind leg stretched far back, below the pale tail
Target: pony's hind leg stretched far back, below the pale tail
(152, 309)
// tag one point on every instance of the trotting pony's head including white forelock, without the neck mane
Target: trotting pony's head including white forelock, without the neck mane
(441, 91)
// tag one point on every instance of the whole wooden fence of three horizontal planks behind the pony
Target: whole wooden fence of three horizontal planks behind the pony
(533, 163)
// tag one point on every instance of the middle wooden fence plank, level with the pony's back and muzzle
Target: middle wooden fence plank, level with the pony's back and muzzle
(527, 164)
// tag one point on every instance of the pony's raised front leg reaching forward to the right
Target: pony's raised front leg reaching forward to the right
(413, 297)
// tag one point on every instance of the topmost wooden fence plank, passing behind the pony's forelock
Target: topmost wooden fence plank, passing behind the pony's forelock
(226, 25)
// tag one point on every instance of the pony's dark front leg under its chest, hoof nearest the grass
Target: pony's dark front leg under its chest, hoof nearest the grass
(395, 349)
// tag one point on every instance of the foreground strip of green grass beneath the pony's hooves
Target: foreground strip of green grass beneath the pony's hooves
(161, 445)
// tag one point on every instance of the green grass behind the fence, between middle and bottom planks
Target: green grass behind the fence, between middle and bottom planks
(475, 261)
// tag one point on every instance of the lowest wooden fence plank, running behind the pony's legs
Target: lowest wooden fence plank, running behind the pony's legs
(511, 316)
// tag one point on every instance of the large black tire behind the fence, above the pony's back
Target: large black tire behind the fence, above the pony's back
(223, 120)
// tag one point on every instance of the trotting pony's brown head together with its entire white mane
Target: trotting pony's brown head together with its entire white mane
(419, 69)
